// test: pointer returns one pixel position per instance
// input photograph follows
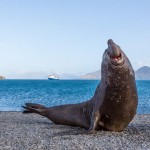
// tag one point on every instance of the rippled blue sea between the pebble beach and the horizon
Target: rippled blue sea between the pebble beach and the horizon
(14, 93)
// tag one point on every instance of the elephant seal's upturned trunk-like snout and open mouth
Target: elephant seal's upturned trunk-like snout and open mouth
(115, 53)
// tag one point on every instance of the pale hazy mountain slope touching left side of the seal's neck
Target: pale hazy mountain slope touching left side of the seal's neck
(92, 76)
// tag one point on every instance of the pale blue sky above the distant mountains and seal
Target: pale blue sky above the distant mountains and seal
(70, 36)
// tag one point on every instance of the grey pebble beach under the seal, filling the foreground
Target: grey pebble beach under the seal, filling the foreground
(23, 132)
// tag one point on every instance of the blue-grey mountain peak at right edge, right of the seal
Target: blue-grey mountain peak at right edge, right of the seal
(143, 73)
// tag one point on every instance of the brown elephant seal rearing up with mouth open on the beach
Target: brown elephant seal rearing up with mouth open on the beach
(113, 105)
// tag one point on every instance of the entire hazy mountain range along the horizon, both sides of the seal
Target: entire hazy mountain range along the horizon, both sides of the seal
(142, 73)
